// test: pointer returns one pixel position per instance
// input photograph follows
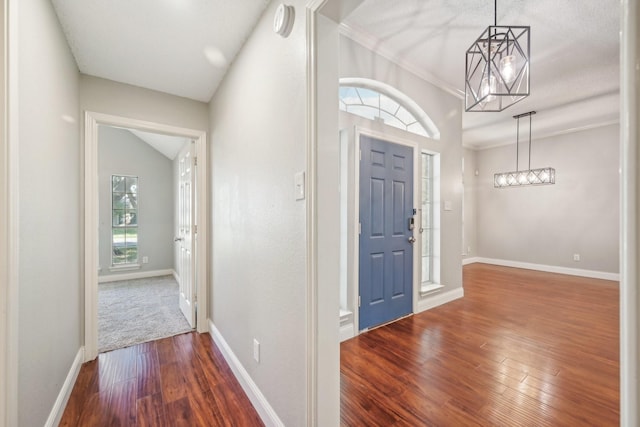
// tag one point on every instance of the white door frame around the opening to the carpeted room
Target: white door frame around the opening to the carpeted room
(92, 120)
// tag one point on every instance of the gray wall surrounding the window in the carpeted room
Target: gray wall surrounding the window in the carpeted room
(122, 153)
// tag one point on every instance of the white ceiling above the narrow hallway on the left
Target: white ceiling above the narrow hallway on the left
(181, 47)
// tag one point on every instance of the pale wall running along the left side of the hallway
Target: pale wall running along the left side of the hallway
(50, 210)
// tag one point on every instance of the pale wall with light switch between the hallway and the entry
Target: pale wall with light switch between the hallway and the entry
(258, 144)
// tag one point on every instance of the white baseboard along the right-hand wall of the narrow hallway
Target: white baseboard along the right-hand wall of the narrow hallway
(259, 401)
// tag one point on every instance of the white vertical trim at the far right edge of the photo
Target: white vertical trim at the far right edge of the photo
(629, 214)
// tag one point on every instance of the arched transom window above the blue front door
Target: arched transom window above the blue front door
(375, 100)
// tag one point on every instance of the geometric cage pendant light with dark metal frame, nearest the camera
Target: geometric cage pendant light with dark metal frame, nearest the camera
(497, 68)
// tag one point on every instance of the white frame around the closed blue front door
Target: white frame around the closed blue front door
(358, 132)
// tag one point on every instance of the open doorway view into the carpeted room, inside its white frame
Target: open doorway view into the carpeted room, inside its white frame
(144, 191)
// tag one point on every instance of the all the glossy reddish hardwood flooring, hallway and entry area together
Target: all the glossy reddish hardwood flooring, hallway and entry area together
(522, 348)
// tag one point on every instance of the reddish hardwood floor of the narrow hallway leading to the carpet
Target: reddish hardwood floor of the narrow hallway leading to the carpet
(178, 381)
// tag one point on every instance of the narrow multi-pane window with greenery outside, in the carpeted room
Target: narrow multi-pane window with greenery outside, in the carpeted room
(124, 220)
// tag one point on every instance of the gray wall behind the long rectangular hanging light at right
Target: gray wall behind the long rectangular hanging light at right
(548, 224)
